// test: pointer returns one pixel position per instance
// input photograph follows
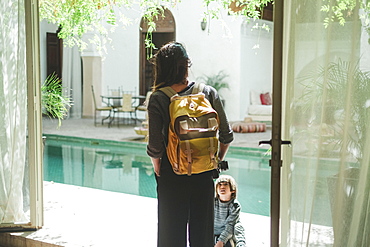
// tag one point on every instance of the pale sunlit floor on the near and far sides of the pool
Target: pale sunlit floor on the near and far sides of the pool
(79, 217)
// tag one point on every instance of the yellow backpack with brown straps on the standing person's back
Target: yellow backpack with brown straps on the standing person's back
(192, 137)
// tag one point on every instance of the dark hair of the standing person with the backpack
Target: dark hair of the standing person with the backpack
(171, 65)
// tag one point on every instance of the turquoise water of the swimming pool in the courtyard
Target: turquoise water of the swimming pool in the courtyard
(125, 167)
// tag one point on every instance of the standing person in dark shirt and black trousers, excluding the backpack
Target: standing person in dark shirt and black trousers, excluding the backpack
(185, 203)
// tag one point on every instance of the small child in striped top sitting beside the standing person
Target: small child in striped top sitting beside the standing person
(228, 228)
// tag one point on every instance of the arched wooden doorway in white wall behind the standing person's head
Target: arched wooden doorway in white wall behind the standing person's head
(165, 32)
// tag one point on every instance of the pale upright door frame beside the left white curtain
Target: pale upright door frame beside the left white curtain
(35, 145)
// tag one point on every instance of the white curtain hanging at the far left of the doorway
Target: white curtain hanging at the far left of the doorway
(13, 110)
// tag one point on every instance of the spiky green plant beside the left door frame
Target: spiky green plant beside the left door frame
(54, 104)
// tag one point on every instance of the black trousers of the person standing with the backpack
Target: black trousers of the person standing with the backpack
(185, 205)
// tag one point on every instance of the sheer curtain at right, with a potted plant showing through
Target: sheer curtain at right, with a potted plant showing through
(326, 175)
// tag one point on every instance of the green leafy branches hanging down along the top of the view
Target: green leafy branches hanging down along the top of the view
(78, 17)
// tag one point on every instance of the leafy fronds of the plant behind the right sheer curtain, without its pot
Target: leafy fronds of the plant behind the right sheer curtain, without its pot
(327, 89)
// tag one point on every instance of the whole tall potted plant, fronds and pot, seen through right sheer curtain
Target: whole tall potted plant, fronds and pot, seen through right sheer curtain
(339, 93)
